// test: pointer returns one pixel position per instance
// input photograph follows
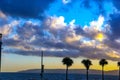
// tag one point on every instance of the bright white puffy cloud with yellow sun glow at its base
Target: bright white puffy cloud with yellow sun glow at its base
(95, 30)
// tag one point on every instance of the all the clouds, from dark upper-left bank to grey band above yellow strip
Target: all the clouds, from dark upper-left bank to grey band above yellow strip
(56, 37)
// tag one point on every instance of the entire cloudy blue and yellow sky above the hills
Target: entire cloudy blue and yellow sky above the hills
(79, 29)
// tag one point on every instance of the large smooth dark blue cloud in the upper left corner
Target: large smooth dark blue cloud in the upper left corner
(25, 8)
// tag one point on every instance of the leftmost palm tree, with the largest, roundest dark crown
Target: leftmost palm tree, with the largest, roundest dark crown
(68, 62)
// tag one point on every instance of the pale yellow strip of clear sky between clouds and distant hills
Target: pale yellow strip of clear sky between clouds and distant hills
(35, 64)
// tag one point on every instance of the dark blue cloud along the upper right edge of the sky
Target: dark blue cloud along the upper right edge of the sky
(115, 22)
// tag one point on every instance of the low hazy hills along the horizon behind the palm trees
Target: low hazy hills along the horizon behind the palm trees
(71, 71)
